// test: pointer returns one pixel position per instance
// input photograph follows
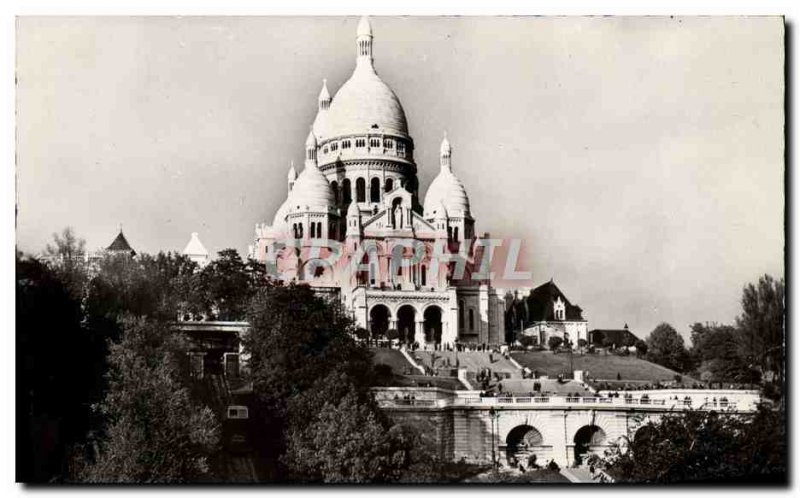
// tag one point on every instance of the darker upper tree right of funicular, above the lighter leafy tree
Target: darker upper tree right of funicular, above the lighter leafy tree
(296, 340)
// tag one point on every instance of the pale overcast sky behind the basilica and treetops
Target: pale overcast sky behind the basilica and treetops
(640, 159)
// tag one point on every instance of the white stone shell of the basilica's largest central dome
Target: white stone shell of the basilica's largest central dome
(363, 104)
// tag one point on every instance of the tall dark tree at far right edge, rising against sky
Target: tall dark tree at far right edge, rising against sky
(761, 325)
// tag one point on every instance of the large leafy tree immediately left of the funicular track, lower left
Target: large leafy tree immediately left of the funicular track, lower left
(155, 432)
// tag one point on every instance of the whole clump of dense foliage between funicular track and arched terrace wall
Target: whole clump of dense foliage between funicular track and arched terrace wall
(311, 379)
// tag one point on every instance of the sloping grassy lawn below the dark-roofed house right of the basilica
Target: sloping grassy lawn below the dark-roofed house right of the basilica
(599, 366)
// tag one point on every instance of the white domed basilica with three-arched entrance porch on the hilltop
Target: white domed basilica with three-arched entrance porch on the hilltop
(400, 264)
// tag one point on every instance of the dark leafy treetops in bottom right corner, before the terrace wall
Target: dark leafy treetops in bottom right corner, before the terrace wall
(702, 447)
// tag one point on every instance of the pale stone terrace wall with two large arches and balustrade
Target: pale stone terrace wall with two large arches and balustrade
(563, 429)
